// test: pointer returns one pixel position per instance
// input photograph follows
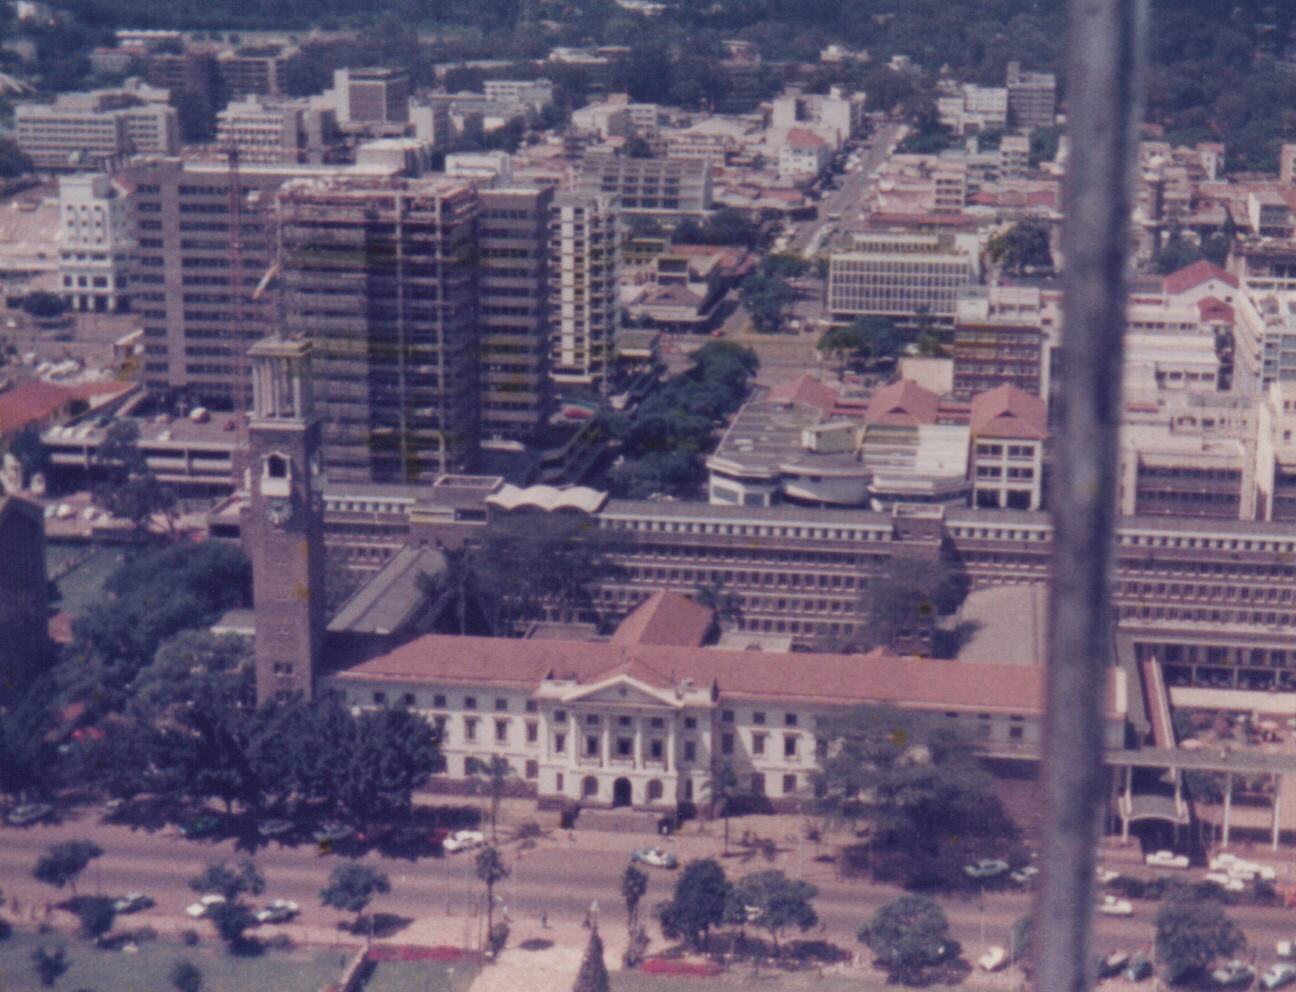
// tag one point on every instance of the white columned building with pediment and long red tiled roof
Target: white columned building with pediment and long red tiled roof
(646, 718)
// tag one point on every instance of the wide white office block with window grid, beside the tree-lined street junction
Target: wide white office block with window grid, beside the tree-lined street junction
(903, 276)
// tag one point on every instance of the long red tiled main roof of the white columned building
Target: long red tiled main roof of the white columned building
(829, 680)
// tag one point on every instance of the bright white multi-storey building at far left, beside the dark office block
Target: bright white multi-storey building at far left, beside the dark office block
(94, 243)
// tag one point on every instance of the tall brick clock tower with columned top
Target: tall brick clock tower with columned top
(283, 519)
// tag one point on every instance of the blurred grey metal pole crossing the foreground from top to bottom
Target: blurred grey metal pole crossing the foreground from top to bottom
(1102, 88)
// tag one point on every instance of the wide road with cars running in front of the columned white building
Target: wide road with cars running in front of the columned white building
(549, 879)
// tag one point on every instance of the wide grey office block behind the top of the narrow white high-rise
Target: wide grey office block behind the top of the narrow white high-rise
(673, 190)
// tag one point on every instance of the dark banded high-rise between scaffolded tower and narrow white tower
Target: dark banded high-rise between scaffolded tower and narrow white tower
(514, 312)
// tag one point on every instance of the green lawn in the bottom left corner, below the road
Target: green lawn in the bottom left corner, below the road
(303, 971)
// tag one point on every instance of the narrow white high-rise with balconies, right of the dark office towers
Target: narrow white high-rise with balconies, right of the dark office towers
(585, 312)
